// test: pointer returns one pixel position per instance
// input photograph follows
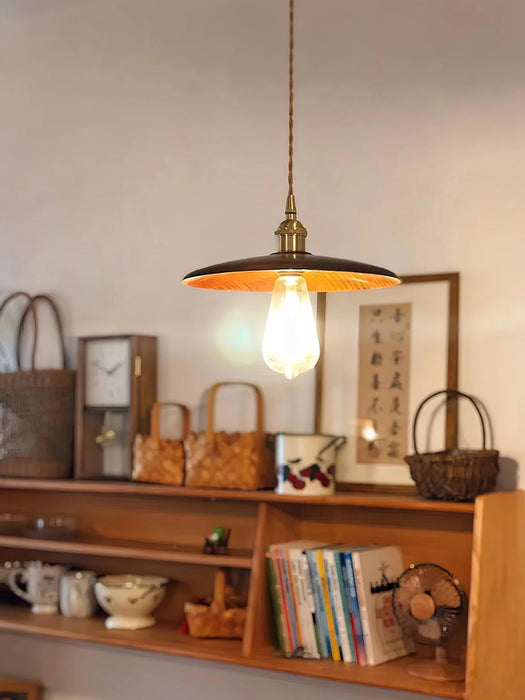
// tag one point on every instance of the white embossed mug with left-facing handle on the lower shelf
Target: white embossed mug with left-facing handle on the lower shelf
(42, 582)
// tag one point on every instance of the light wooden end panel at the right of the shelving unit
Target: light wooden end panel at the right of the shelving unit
(496, 650)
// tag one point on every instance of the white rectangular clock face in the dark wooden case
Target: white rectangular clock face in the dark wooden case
(108, 372)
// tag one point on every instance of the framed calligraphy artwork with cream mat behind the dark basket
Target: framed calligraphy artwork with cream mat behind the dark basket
(382, 352)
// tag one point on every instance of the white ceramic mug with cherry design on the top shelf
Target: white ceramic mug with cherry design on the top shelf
(306, 463)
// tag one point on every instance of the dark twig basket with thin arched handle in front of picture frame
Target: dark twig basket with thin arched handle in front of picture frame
(453, 474)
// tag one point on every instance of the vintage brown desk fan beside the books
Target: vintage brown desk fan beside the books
(428, 603)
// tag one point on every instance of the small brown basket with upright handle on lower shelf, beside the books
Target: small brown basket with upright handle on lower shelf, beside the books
(216, 620)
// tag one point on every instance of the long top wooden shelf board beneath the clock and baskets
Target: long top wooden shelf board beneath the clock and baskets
(344, 498)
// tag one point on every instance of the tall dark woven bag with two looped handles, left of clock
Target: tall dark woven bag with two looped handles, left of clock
(36, 411)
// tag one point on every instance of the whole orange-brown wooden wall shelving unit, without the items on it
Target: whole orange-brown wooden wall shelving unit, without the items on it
(145, 528)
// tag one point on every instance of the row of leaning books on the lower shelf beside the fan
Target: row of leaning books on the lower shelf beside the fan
(335, 601)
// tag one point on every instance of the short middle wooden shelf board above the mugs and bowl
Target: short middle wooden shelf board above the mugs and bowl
(241, 559)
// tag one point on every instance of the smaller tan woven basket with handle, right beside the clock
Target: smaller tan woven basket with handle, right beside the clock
(160, 460)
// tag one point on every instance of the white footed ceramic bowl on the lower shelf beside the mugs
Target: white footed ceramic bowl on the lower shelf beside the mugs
(129, 599)
